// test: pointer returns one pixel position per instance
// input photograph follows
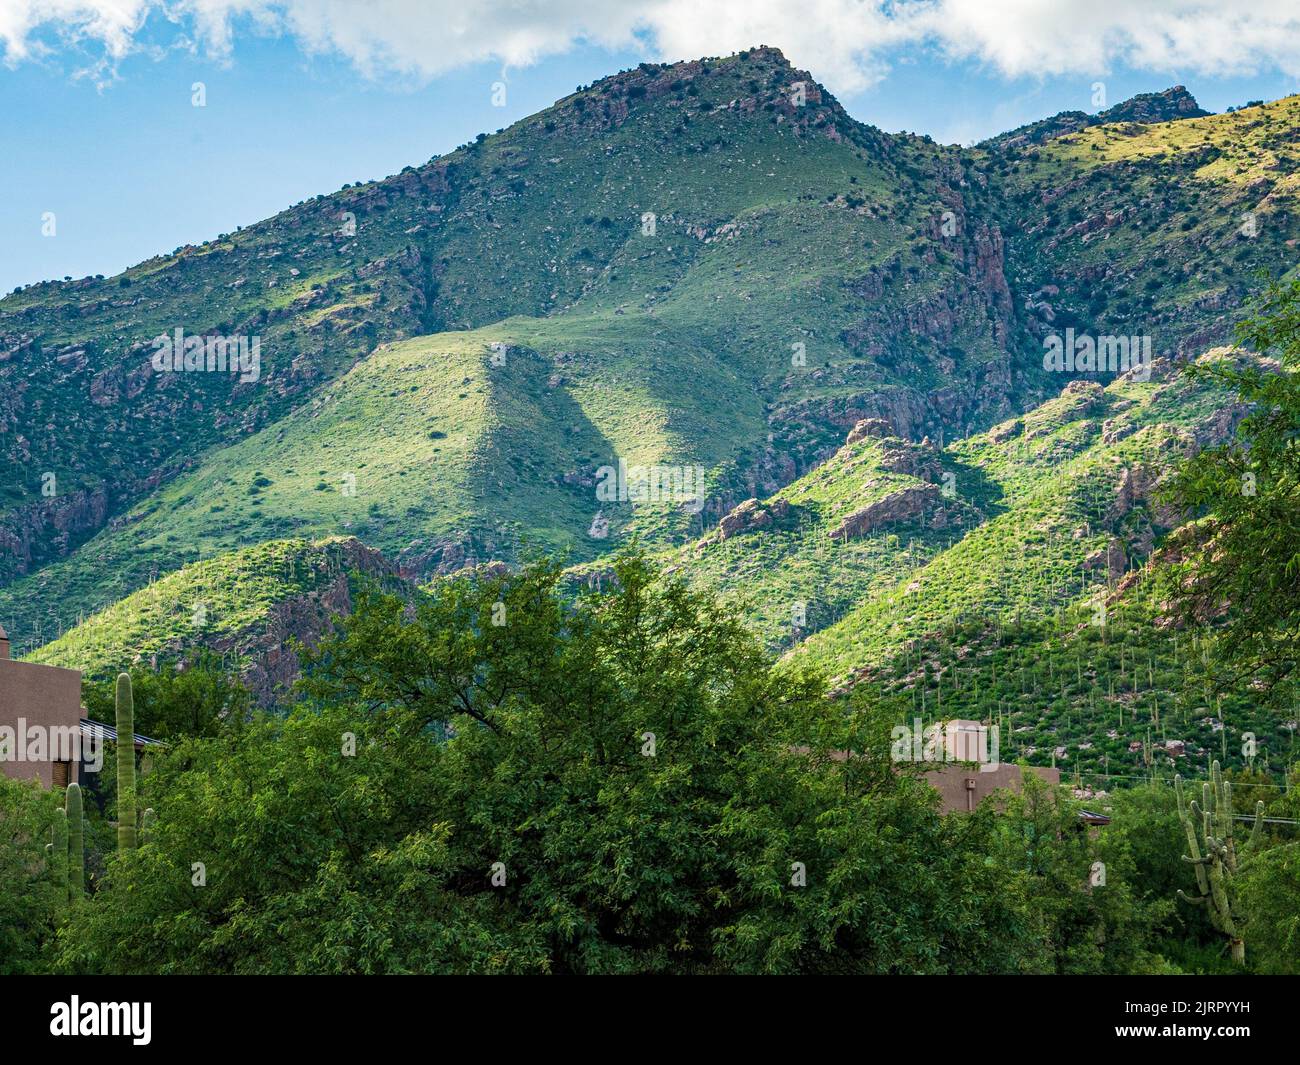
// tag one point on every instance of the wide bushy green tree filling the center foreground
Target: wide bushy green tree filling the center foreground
(506, 778)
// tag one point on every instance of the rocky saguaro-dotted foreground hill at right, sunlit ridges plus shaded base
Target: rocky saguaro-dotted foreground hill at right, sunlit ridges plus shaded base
(996, 621)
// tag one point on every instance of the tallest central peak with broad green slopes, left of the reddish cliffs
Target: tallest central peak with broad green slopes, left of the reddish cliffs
(786, 283)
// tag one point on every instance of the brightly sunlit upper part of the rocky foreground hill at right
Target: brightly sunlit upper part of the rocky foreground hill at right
(1030, 503)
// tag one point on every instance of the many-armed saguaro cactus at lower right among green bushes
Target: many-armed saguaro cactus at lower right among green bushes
(1214, 852)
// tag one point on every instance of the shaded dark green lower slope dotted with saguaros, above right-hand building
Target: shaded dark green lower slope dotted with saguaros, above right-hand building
(1110, 698)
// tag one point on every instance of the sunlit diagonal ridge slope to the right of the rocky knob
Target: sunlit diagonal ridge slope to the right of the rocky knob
(1047, 492)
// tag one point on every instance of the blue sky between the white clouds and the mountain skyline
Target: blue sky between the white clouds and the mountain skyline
(131, 168)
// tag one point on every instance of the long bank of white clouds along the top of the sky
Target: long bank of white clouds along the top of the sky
(846, 44)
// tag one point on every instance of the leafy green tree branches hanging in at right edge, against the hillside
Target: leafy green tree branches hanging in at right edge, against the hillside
(1245, 559)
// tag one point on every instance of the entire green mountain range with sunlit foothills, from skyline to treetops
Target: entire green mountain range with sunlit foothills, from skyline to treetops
(704, 266)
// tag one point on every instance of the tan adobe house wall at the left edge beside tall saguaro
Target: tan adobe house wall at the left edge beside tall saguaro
(41, 721)
